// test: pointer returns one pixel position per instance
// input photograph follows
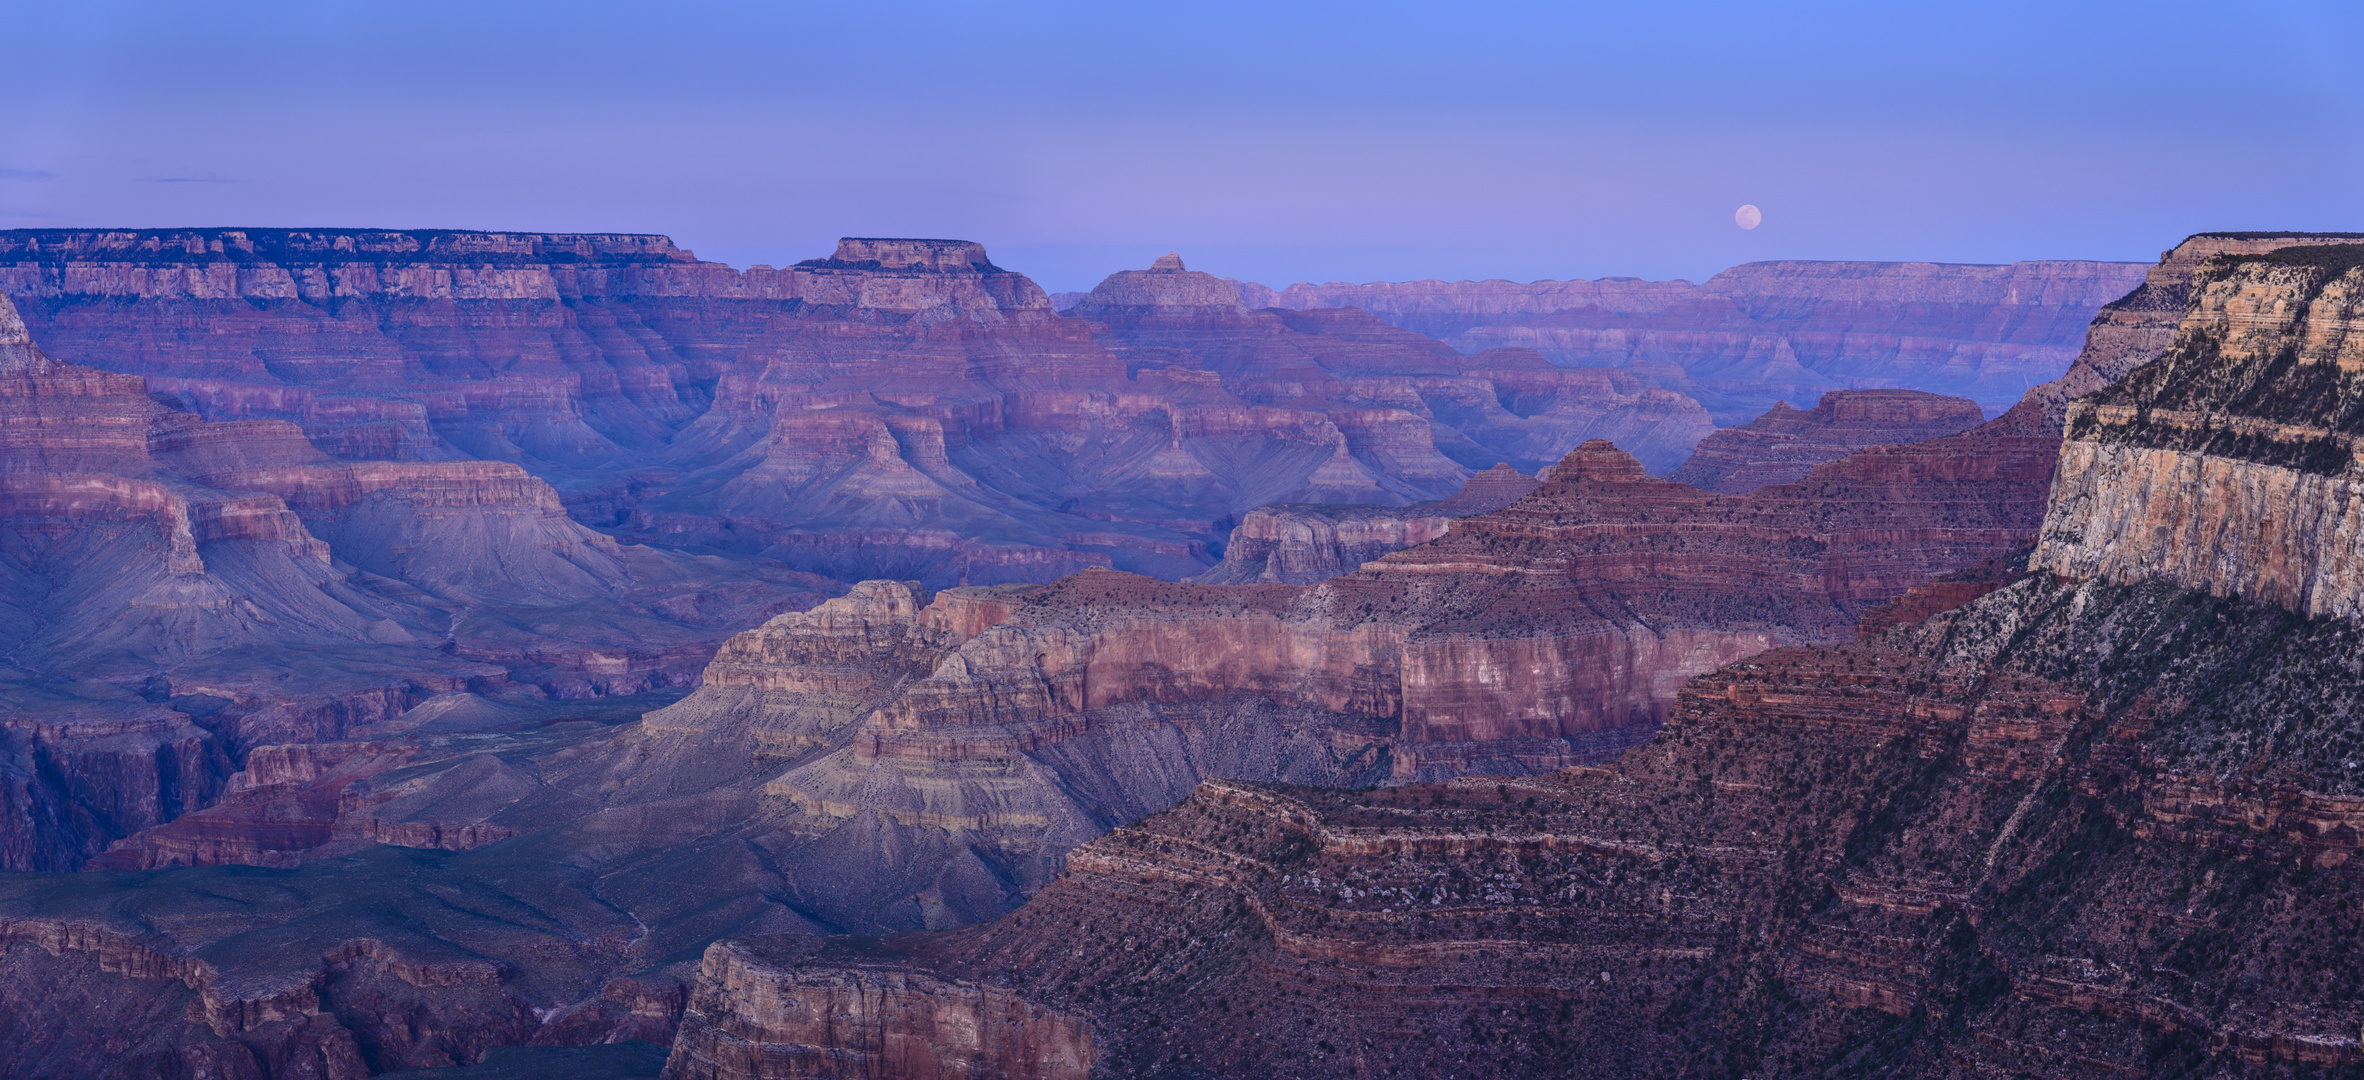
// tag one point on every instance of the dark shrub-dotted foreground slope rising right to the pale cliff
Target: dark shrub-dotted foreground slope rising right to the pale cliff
(2082, 809)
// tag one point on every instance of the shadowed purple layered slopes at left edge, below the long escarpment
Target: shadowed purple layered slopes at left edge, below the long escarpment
(176, 592)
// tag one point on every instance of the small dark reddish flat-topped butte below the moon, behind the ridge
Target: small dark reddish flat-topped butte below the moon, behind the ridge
(1786, 443)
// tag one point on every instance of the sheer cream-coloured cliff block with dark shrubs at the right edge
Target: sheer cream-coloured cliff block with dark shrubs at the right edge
(2230, 464)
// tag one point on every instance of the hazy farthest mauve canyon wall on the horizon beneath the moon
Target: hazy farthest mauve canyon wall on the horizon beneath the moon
(1769, 332)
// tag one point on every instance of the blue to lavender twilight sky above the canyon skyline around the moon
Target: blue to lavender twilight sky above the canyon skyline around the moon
(1266, 141)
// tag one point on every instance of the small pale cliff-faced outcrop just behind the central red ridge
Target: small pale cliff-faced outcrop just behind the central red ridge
(1311, 542)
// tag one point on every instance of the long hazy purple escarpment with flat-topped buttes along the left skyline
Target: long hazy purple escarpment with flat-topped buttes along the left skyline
(900, 410)
